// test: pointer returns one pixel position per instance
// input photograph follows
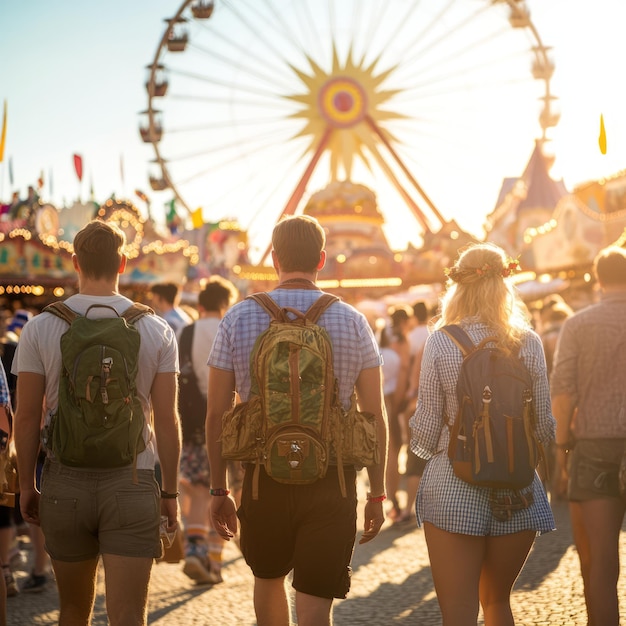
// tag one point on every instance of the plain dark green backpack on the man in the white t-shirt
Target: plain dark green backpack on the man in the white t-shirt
(99, 421)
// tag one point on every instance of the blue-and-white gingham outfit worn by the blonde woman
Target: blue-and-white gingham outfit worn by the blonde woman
(443, 499)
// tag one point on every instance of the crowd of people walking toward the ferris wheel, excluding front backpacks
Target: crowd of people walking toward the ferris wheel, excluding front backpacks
(402, 367)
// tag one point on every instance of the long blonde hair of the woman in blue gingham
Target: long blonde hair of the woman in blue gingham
(477, 288)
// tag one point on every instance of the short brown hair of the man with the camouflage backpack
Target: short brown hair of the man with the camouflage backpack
(298, 241)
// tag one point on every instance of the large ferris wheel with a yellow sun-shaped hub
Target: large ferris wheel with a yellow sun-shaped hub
(252, 105)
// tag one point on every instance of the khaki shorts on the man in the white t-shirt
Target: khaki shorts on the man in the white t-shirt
(87, 512)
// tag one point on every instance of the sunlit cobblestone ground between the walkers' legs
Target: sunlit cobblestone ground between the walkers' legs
(391, 585)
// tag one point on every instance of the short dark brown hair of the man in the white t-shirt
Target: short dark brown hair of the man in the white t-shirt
(98, 249)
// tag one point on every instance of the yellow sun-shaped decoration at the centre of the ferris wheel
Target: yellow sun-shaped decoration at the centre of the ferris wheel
(340, 109)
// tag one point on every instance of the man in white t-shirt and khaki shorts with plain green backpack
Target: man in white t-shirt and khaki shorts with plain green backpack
(96, 503)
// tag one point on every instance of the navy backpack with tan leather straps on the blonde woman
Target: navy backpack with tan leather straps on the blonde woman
(493, 441)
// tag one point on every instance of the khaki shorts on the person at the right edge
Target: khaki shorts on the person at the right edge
(593, 468)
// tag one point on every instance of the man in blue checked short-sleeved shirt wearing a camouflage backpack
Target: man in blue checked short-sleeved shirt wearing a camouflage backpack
(291, 520)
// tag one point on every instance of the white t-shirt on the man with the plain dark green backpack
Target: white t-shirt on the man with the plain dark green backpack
(39, 352)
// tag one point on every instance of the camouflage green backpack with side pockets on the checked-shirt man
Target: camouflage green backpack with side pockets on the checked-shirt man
(294, 424)
